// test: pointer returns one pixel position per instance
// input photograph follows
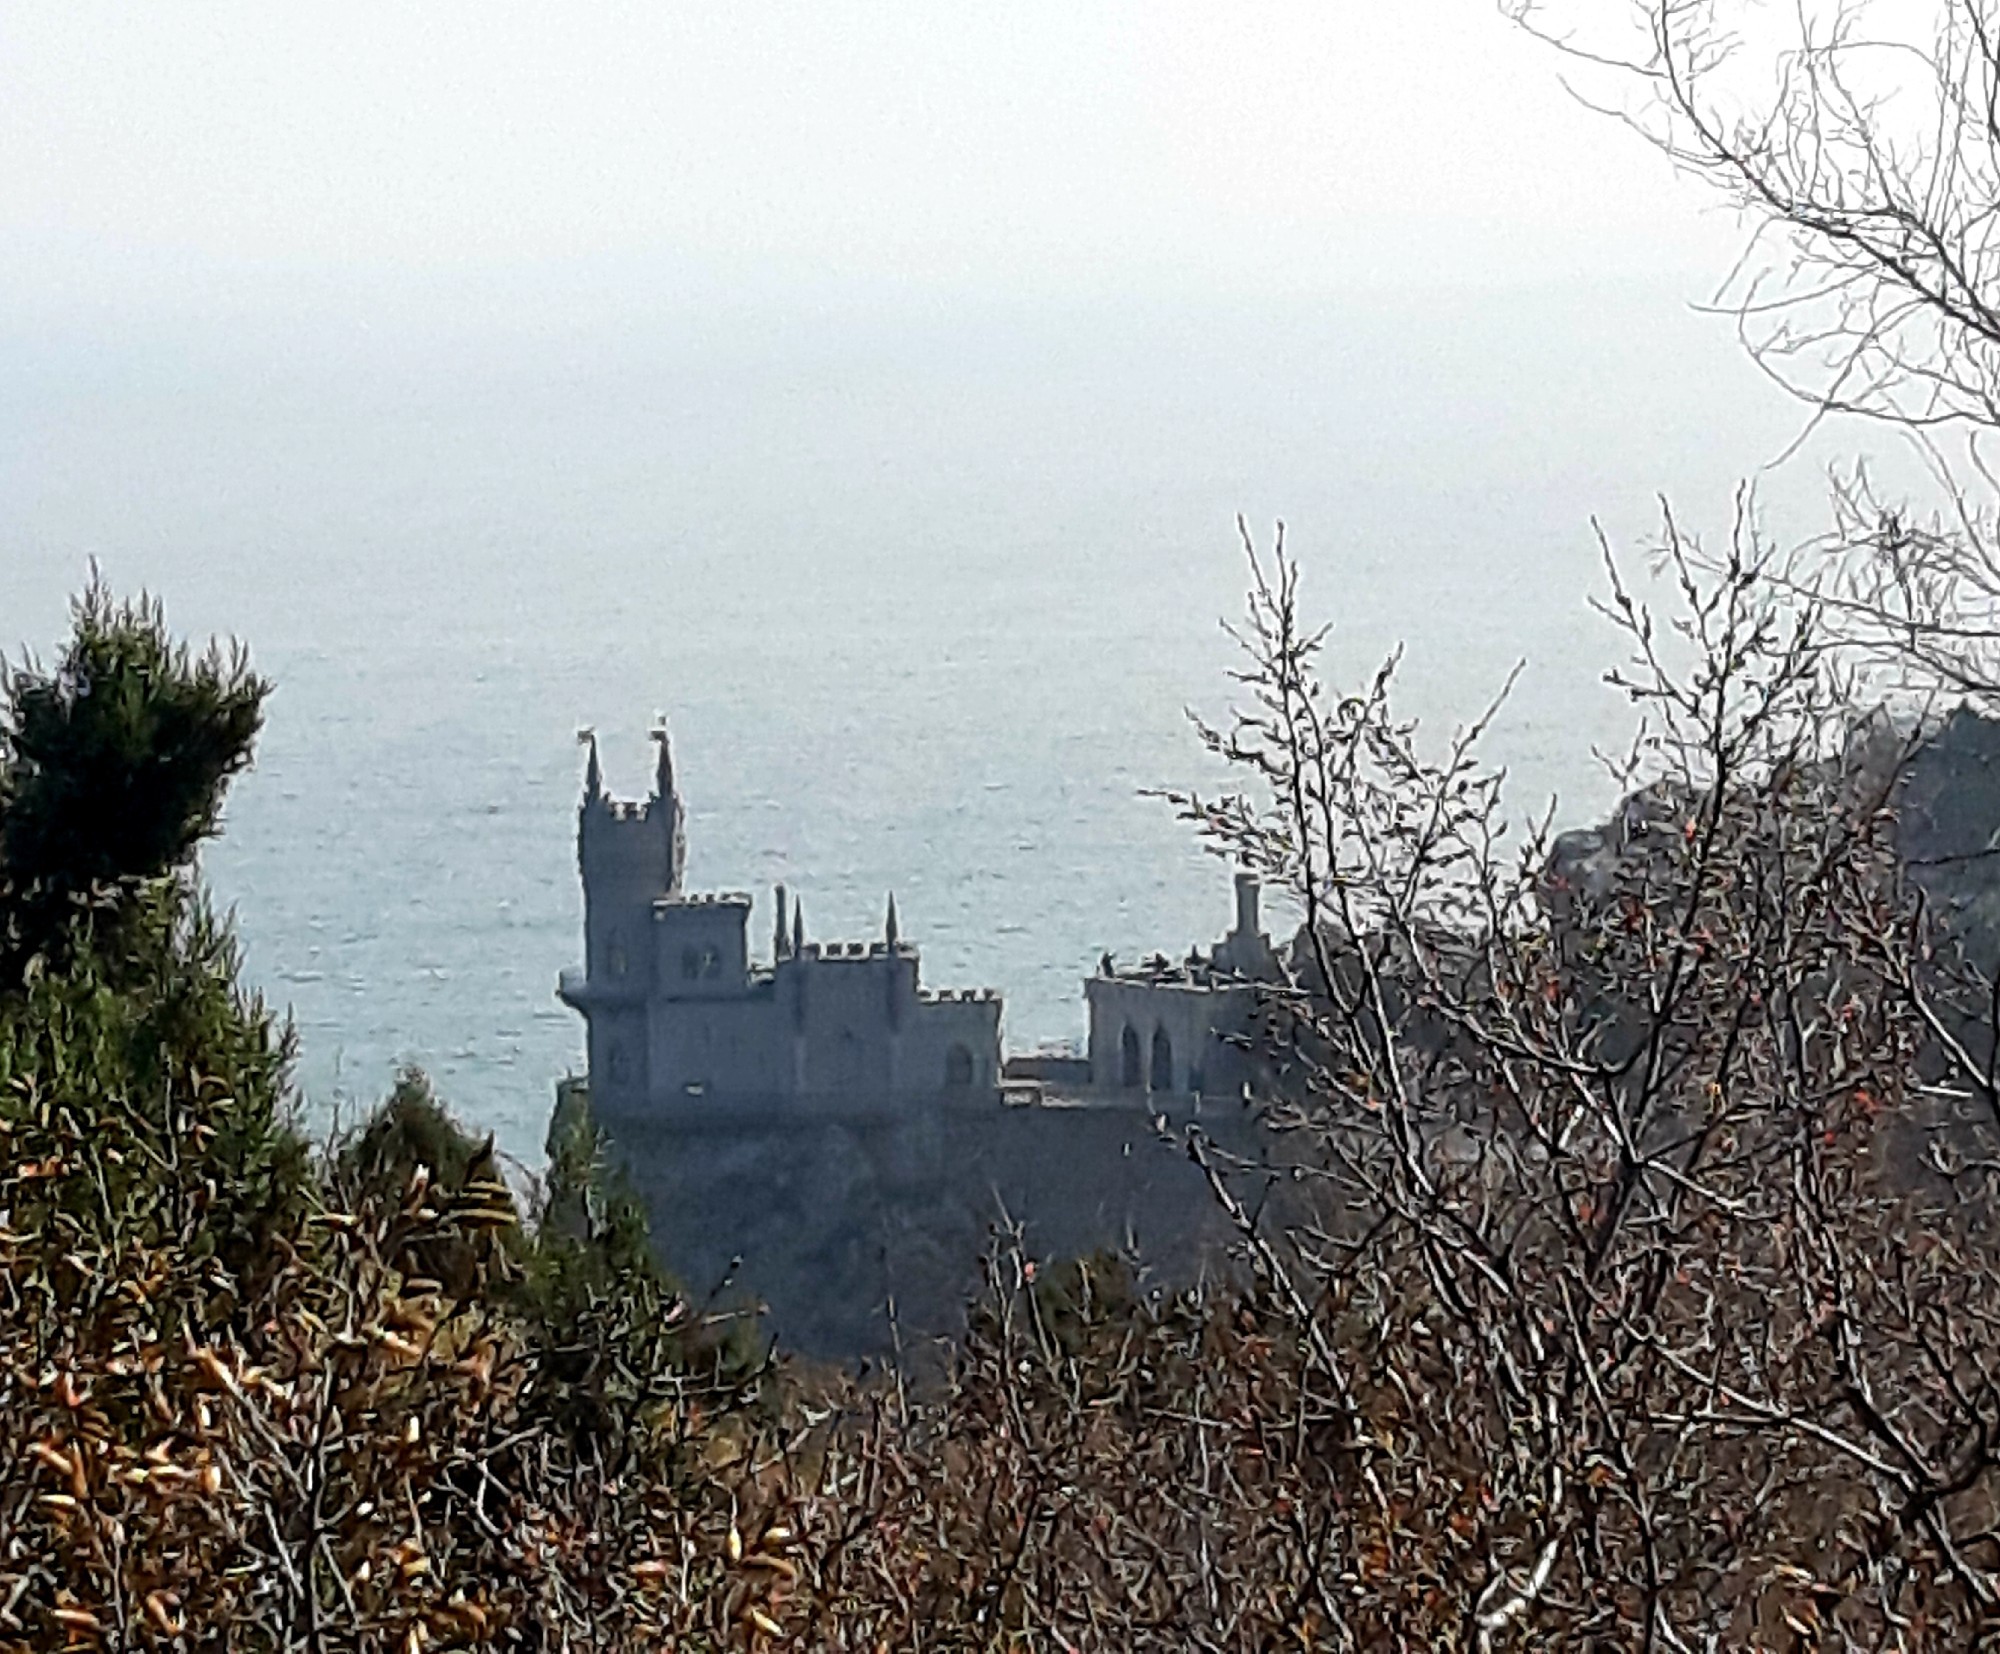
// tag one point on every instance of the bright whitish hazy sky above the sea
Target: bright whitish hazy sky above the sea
(197, 157)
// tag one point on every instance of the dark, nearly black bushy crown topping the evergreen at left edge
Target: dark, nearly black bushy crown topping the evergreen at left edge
(113, 767)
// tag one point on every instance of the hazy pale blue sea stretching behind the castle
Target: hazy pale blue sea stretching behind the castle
(925, 599)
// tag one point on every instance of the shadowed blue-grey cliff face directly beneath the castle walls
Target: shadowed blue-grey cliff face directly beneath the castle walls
(831, 1219)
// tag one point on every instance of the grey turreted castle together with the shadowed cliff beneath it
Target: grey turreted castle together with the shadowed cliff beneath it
(825, 1137)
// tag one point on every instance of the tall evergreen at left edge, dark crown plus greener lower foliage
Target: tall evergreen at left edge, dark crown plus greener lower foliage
(137, 1077)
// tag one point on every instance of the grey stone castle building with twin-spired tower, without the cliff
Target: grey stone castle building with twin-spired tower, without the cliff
(683, 1019)
